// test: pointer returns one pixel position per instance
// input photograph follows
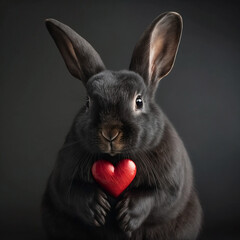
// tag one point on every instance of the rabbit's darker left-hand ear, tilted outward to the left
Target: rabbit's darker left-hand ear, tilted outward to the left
(81, 59)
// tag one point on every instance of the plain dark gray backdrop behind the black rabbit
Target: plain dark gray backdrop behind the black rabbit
(39, 98)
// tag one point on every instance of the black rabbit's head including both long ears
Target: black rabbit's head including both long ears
(120, 115)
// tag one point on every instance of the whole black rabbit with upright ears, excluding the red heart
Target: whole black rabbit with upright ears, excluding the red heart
(119, 120)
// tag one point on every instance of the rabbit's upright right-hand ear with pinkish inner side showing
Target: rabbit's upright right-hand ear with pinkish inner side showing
(154, 54)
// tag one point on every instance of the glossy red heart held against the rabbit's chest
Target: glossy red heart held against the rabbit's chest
(114, 179)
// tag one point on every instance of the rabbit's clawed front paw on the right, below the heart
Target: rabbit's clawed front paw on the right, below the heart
(133, 209)
